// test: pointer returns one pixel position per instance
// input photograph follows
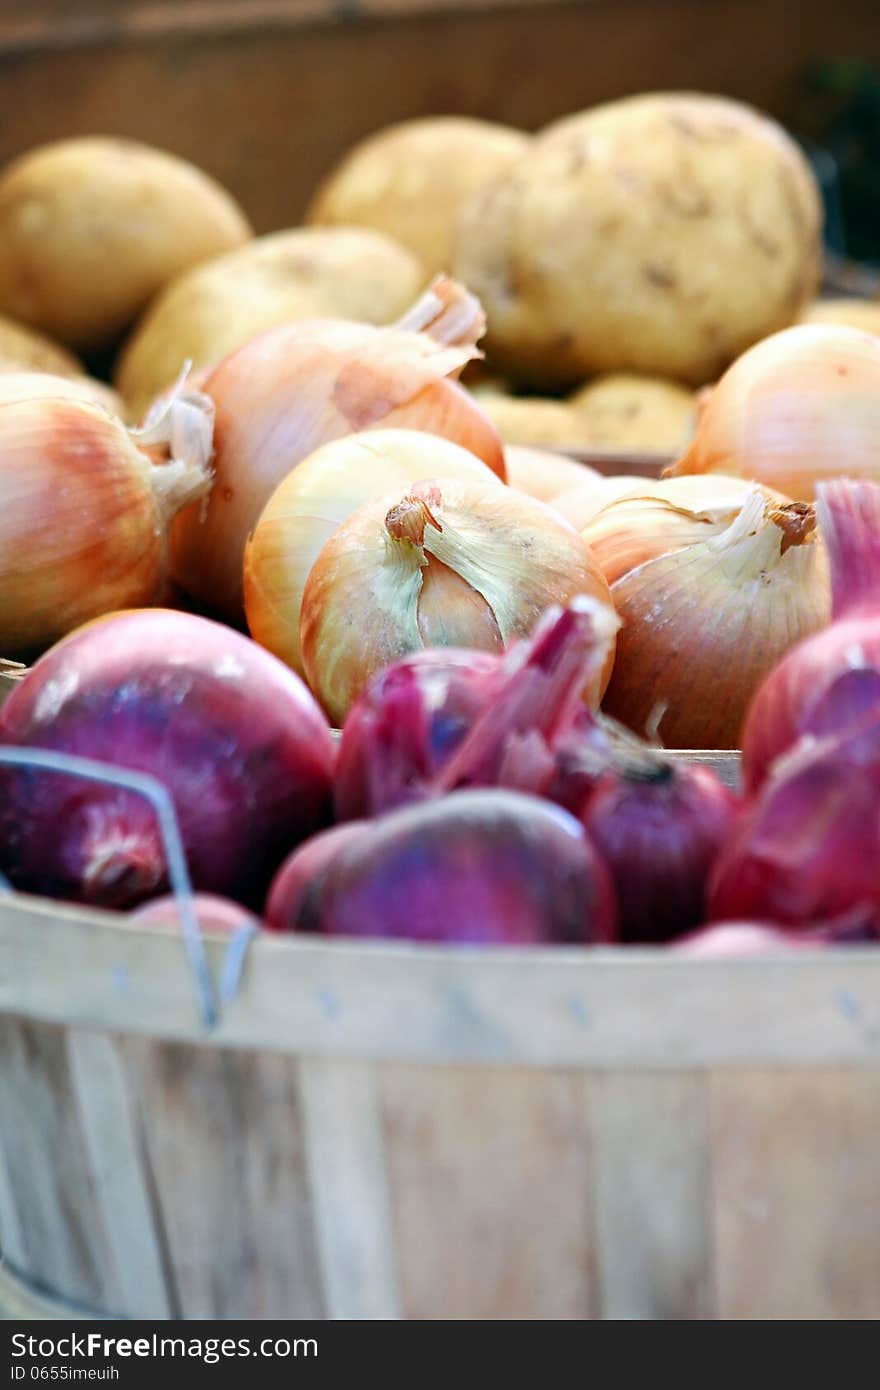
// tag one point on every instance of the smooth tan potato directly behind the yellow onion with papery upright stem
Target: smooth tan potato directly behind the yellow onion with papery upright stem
(323, 273)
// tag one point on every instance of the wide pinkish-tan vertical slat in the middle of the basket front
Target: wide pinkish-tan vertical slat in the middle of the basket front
(504, 1154)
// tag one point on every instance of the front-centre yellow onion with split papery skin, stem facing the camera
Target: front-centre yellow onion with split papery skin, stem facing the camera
(443, 565)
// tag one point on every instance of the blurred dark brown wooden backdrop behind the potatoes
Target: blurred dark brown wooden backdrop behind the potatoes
(268, 94)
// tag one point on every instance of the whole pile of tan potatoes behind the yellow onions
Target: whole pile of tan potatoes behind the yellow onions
(625, 256)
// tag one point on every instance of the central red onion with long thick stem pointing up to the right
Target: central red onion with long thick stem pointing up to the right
(443, 721)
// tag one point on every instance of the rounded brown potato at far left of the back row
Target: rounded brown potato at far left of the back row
(92, 229)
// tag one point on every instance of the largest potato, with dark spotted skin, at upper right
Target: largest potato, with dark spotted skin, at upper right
(662, 234)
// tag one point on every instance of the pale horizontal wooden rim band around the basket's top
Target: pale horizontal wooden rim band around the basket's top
(625, 1008)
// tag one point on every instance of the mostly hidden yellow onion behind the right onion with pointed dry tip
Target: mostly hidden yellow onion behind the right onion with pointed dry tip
(676, 514)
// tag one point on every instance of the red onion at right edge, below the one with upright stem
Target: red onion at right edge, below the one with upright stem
(808, 850)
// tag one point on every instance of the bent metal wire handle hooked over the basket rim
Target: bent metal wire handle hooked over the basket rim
(176, 862)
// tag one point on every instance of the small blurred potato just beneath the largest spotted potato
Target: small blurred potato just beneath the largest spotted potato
(635, 414)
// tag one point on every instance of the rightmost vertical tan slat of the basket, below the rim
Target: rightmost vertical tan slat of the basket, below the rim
(797, 1193)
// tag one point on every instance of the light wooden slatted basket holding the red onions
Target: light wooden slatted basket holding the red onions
(400, 1132)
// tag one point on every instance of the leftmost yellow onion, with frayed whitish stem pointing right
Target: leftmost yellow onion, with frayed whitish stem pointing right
(84, 511)
